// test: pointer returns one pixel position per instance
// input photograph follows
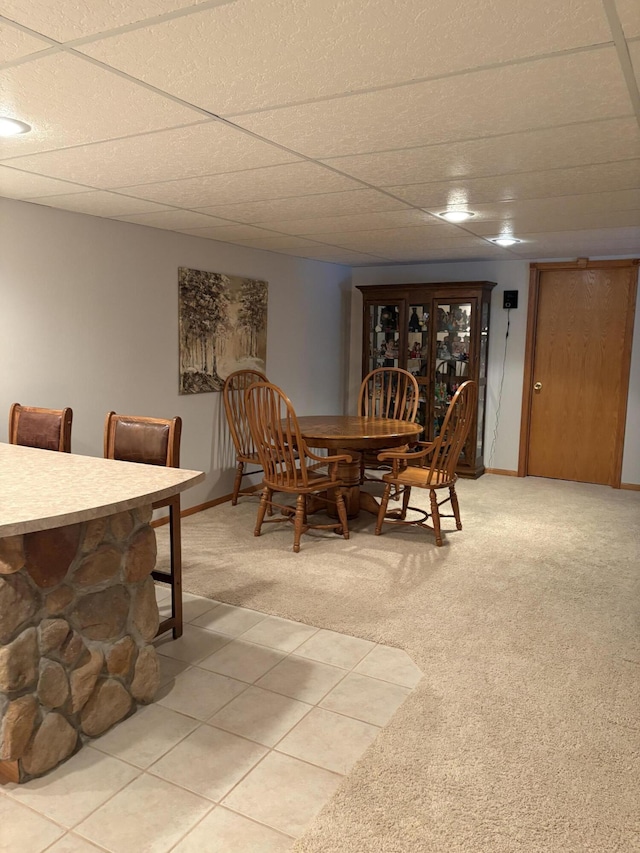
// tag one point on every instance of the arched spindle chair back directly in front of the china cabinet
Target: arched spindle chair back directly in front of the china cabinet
(389, 392)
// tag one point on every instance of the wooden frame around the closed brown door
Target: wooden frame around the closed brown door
(535, 270)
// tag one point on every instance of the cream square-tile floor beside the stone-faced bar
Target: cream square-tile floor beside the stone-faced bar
(255, 724)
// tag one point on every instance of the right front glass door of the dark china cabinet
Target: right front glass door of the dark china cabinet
(453, 345)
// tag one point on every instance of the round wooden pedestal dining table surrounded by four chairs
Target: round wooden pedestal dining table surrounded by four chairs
(353, 434)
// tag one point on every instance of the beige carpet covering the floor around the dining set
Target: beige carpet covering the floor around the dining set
(524, 734)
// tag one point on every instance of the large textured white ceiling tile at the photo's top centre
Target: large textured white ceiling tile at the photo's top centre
(335, 46)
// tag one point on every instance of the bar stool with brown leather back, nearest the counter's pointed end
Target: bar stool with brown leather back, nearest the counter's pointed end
(153, 441)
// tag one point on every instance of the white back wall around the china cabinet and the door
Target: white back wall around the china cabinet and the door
(508, 275)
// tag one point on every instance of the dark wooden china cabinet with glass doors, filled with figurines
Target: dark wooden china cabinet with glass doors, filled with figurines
(440, 333)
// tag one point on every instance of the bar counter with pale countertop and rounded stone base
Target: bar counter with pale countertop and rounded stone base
(77, 603)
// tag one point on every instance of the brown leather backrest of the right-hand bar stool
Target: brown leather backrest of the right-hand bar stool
(133, 438)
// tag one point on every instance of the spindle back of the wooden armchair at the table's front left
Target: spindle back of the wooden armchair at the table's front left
(276, 434)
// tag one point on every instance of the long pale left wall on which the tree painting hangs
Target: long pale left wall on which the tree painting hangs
(89, 319)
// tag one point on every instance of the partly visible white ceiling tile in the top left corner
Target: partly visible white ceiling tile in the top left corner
(69, 19)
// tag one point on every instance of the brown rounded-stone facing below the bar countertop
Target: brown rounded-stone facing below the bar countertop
(77, 616)
